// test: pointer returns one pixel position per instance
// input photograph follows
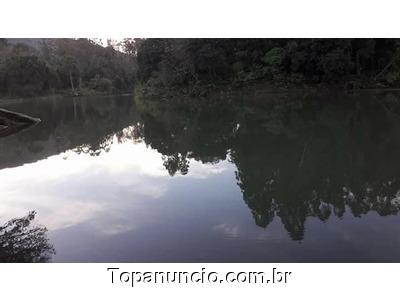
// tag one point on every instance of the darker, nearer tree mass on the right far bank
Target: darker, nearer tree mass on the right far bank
(190, 63)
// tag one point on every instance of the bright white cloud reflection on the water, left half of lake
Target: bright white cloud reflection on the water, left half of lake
(95, 189)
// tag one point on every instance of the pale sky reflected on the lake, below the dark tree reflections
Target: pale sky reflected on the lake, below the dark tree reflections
(123, 206)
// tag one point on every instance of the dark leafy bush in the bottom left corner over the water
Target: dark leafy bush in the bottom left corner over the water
(20, 241)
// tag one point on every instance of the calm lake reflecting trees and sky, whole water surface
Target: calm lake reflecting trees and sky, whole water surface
(255, 176)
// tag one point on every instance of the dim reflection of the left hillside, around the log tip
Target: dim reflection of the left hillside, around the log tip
(85, 124)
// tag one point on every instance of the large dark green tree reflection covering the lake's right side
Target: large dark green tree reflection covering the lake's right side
(294, 160)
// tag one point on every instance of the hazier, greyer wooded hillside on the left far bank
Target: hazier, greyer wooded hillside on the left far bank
(40, 66)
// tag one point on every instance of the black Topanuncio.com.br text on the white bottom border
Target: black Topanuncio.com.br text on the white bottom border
(203, 276)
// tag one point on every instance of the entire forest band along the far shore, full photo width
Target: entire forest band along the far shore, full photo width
(30, 67)
